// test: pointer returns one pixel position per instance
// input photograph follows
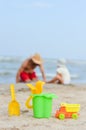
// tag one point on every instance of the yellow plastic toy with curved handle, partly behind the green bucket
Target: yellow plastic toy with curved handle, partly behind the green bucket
(37, 89)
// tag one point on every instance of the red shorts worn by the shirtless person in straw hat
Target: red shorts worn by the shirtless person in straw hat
(28, 76)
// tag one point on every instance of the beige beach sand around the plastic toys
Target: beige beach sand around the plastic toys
(66, 93)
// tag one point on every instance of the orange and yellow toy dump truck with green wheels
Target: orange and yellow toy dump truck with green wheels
(68, 111)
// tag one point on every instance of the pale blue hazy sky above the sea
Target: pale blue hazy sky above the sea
(53, 28)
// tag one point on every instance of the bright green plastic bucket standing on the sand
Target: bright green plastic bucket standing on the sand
(42, 105)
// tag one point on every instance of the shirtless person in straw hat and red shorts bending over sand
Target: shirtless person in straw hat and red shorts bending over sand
(26, 72)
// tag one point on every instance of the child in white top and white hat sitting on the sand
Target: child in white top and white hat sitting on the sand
(62, 74)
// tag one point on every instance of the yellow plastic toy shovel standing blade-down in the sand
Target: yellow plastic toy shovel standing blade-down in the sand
(13, 107)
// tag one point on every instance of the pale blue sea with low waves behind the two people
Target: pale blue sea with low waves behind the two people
(10, 65)
